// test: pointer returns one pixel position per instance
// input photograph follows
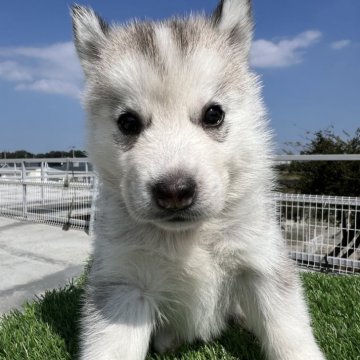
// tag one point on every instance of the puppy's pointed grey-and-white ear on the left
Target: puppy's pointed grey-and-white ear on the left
(90, 34)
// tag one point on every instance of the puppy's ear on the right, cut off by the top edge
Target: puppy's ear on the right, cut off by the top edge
(234, 17)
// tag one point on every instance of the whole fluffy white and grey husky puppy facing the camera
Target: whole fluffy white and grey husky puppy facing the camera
(186, 233)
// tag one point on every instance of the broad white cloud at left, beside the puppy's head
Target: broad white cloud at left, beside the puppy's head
(52, 69)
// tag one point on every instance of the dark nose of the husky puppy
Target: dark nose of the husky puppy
(174, 192)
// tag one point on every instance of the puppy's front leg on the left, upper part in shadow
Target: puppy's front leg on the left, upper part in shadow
(117, 323)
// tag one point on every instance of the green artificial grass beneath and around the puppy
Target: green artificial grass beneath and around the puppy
(47, 329)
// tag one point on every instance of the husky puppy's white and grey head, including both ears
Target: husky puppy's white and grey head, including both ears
(174, 112)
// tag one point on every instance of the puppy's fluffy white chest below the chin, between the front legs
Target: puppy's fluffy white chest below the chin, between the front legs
(191, 289)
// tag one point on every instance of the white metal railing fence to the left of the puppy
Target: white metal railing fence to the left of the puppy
(59, 195)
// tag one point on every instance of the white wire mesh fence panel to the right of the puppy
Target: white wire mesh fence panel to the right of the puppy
(321, 232)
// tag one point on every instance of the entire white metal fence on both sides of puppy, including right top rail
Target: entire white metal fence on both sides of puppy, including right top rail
(322, 232)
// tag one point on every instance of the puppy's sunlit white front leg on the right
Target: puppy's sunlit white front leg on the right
(275, 310)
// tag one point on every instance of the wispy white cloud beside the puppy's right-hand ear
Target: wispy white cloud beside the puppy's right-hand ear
(282, 53)
